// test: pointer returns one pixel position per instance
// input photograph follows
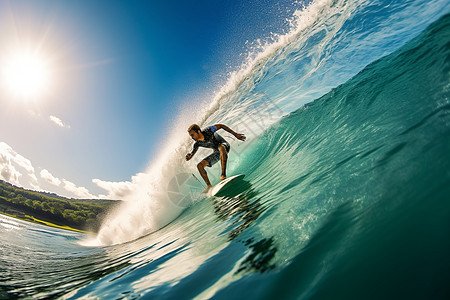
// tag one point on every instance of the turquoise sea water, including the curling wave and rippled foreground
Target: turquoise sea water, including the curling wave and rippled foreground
(347, 181)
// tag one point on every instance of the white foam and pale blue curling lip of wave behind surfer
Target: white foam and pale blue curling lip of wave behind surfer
(324, 47)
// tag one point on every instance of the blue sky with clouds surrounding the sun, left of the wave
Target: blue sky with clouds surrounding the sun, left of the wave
(119, 72)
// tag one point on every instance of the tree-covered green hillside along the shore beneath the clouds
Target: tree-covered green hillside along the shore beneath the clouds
(81, 214)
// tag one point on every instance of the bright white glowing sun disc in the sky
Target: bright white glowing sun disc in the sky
(26, 75)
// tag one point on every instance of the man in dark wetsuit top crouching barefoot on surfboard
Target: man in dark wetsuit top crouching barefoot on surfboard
(209, 138)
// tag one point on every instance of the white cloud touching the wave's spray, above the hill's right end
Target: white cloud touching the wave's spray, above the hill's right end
(120, 190)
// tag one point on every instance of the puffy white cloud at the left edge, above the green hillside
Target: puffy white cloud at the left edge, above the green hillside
(13, 164)
